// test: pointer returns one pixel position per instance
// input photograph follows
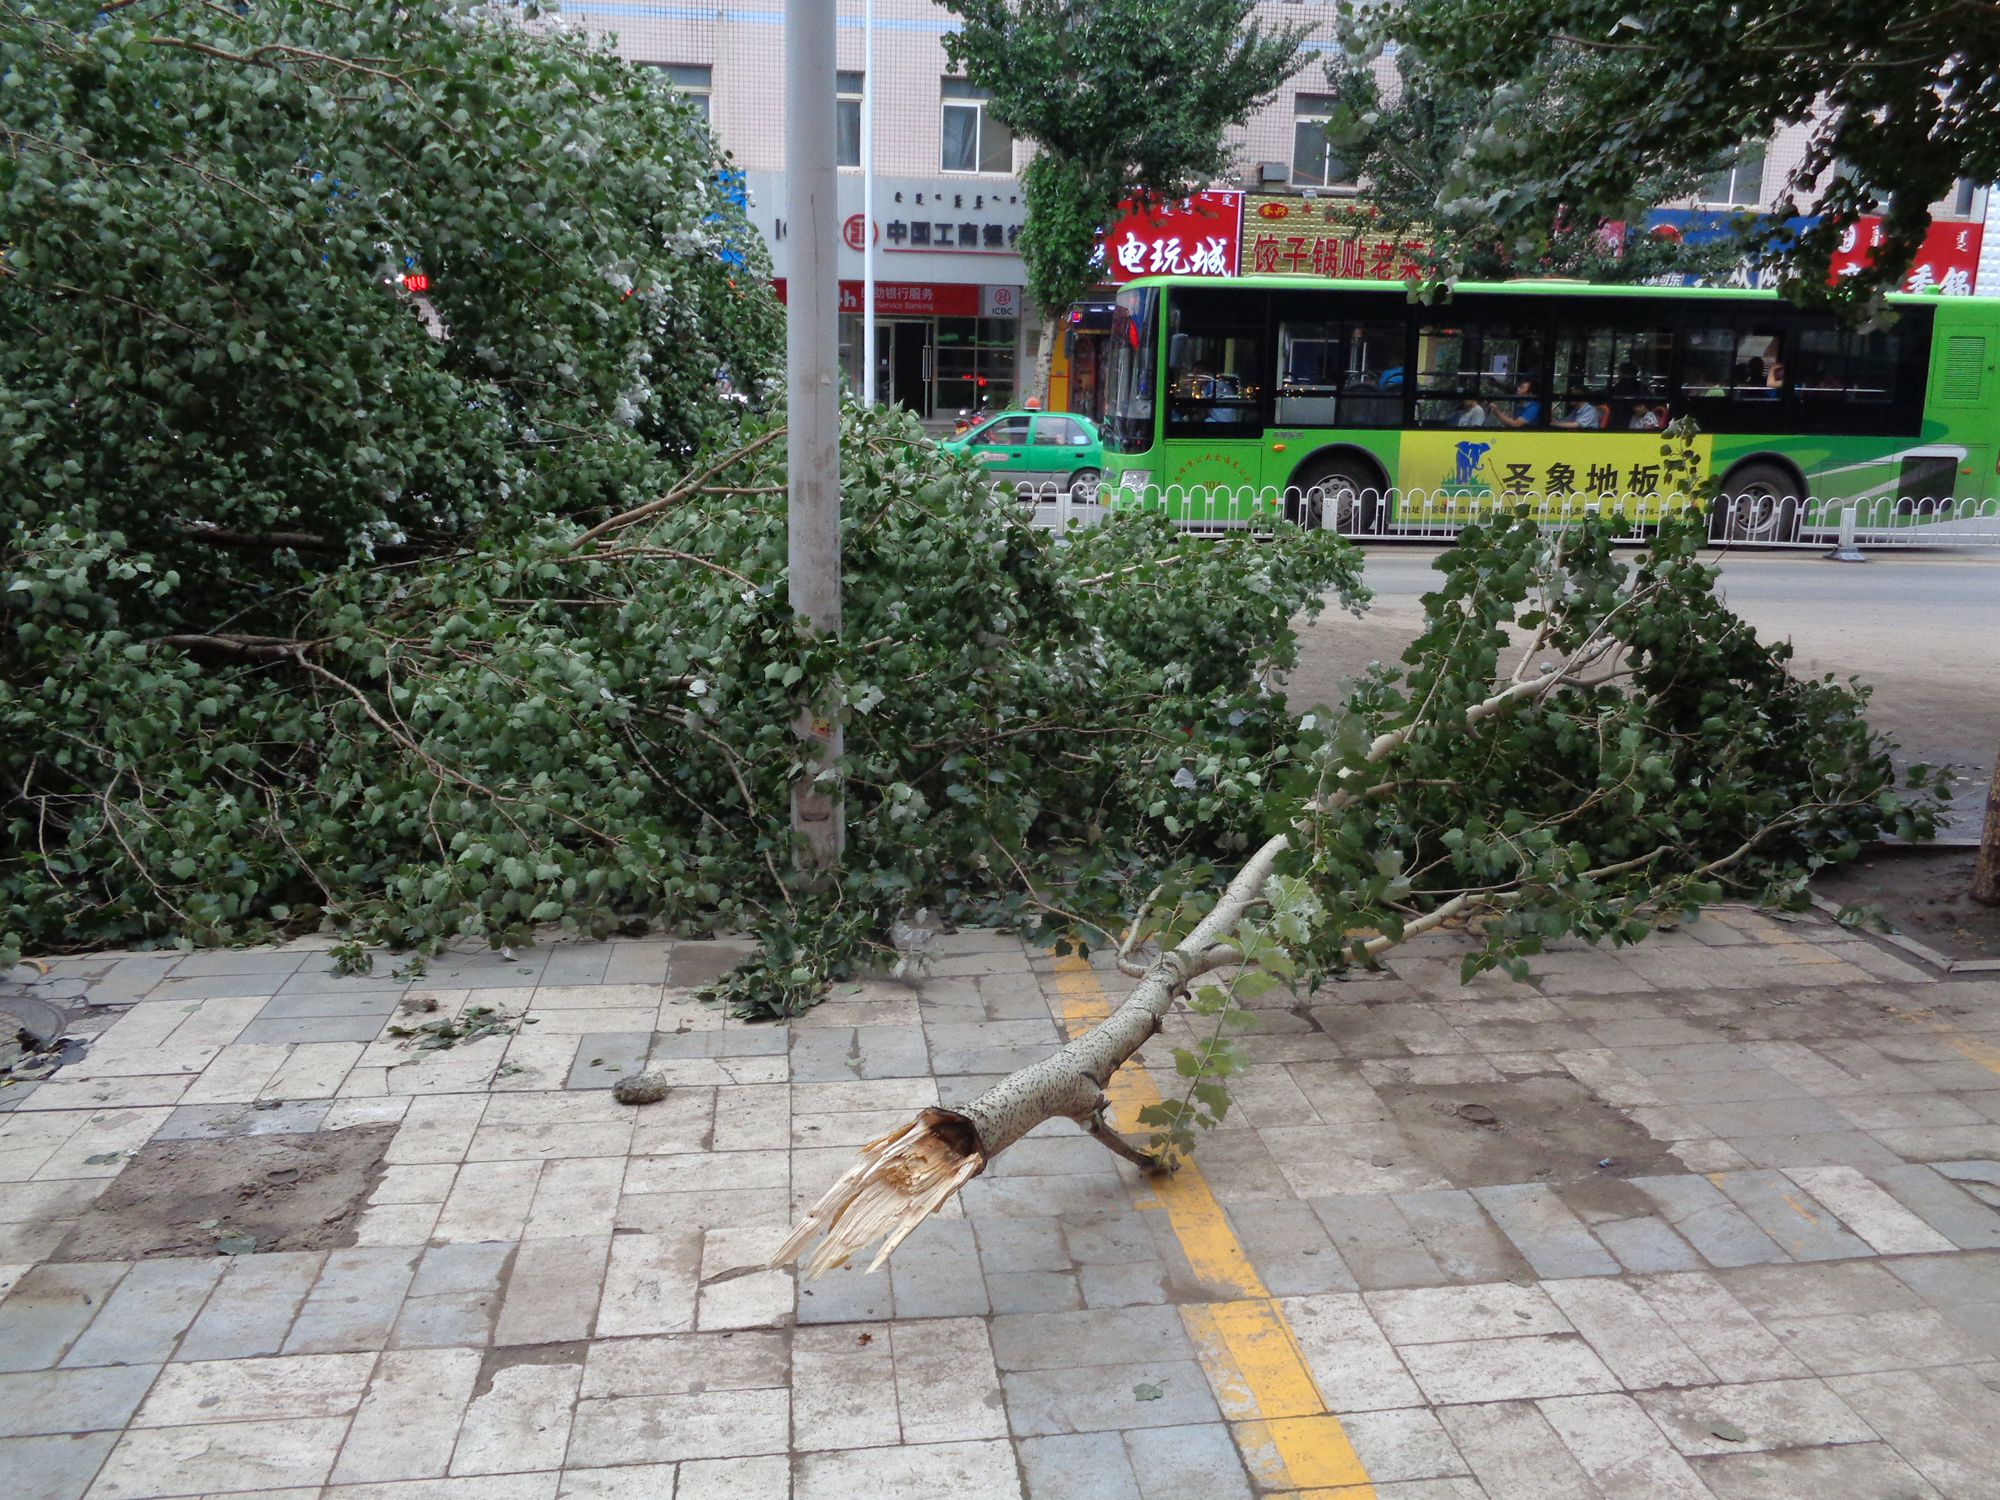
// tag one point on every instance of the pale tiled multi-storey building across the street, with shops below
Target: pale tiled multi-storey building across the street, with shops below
(953, 325)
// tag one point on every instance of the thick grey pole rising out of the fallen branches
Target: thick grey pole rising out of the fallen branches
(813, 397)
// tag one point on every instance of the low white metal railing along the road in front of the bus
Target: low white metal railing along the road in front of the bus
(1439, 515)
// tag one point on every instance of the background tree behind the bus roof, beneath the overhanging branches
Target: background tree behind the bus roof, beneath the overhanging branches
(1409, 143)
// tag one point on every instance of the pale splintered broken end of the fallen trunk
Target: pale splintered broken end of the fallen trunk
(895, 1185)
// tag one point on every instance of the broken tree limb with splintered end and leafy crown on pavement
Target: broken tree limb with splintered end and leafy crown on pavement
(1575, 749)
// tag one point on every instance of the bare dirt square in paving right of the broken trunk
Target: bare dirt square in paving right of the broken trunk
(1529, 1131)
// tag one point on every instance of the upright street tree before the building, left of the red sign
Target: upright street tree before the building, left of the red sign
(1123, 99)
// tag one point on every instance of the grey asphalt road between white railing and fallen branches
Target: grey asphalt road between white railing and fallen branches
(1921, 629)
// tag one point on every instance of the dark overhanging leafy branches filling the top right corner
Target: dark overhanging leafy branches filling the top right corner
(1593, 101)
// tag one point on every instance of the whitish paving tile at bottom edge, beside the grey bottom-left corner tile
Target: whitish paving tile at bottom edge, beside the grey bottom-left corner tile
(219, 1457)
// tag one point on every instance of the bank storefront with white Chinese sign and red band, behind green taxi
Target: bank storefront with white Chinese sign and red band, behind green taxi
(949, 303)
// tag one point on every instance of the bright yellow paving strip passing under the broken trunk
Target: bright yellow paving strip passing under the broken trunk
(1287, 1437)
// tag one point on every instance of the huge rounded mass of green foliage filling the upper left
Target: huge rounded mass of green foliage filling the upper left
(205, 353)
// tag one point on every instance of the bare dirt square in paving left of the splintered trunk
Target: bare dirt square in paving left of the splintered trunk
(235, 1195)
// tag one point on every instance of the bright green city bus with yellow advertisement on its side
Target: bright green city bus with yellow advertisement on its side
(1361, 409)
